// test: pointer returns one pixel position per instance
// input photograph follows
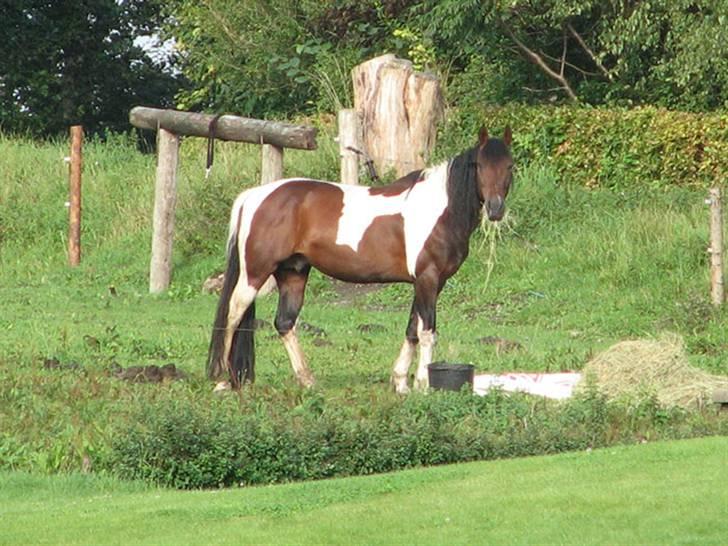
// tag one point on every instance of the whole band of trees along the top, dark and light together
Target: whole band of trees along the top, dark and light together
(278, 59)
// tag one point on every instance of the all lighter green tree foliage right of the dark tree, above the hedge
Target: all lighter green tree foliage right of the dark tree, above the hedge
(261, 57)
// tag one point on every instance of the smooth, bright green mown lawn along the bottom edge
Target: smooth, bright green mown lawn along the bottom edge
(662, 493)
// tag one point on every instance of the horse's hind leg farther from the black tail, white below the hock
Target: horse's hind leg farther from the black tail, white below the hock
(291, 277)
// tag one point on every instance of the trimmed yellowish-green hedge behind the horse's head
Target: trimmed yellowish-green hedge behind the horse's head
(614, 147)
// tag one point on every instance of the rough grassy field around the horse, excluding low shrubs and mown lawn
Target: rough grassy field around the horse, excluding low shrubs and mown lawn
(575, 270)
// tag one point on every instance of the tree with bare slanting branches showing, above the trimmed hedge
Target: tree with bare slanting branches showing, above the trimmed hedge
(668, 52)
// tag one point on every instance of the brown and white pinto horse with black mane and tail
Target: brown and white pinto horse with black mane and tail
(415, 230)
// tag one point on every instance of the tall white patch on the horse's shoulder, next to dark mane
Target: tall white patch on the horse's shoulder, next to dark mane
(423, 207)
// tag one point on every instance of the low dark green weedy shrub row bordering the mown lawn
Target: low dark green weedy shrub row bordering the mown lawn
(186, 444)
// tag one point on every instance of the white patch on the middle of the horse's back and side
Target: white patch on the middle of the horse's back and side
(360, 210)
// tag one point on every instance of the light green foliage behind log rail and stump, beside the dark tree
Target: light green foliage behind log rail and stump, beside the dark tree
(277, 57)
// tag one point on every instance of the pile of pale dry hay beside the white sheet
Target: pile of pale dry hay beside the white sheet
(653, 367)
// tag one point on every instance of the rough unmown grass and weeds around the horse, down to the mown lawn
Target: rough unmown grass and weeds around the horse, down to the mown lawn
(575, 270)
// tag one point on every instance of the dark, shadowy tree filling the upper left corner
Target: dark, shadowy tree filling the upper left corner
(65, 62)
